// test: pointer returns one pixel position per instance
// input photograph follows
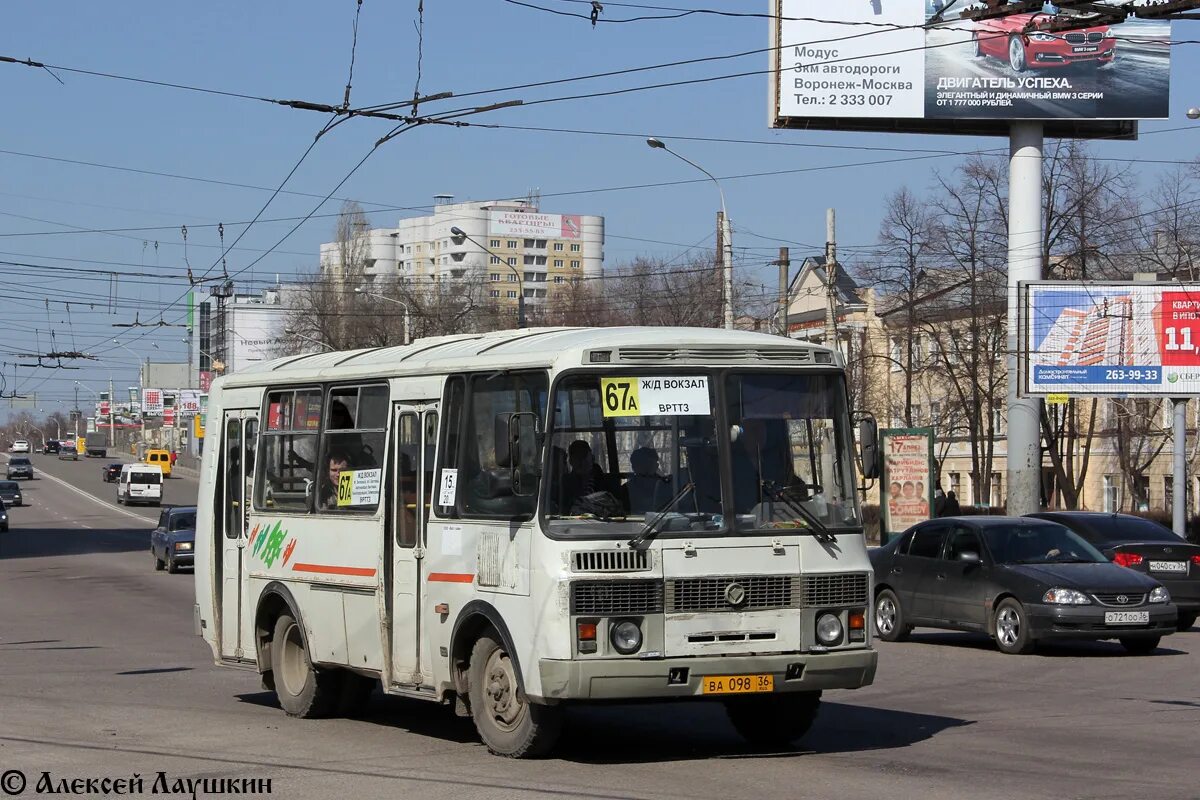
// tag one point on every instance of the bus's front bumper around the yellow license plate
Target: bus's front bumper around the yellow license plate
(613, 679)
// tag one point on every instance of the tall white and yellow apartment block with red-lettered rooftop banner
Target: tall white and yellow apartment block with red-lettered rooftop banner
(511, 245)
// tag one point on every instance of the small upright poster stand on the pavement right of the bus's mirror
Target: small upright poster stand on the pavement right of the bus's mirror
(907, 484)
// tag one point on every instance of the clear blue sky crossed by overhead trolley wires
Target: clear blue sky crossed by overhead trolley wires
(301, 50)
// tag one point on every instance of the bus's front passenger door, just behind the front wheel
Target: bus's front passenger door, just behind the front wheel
(417, 430)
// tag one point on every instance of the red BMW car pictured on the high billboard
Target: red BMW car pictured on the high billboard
(1009, 40)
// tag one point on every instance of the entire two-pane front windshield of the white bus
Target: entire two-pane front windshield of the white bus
(632, 450)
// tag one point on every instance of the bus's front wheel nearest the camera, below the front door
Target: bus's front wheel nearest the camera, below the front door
(506, 720)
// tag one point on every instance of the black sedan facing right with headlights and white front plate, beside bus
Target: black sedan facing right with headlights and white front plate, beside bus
(1017, 580)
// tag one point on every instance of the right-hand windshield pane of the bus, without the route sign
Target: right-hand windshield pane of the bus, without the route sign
(790, 449)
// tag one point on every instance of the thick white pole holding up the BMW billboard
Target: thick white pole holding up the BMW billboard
(1024, 264)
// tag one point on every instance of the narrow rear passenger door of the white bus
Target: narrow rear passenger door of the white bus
(241, 432)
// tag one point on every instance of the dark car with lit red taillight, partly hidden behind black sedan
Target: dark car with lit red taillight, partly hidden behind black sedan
(1143, 546)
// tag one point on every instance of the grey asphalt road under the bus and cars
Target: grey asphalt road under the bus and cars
(103, 677)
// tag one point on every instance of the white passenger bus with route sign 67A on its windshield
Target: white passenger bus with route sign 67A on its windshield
(518, 521)
